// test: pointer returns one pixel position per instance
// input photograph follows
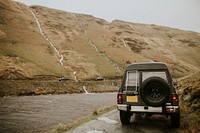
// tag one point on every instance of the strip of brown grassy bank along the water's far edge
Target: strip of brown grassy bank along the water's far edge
(49, 86)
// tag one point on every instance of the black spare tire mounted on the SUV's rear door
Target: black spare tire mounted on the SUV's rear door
(155, 91)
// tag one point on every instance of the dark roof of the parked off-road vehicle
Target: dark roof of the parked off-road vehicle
(147, 66)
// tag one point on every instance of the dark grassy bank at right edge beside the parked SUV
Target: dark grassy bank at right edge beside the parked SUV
(189, 91)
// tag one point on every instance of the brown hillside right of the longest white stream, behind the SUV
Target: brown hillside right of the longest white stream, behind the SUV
(94, 47)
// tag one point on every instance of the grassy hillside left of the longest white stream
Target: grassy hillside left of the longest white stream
(23, 50)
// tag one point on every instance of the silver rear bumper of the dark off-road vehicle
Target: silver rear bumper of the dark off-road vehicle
(148, 109)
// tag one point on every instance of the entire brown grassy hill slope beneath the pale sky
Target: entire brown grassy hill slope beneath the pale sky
(91, 47)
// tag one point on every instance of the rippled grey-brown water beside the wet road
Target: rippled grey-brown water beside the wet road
(35, 114)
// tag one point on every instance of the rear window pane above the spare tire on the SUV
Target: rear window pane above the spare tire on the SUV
(161, 74)
